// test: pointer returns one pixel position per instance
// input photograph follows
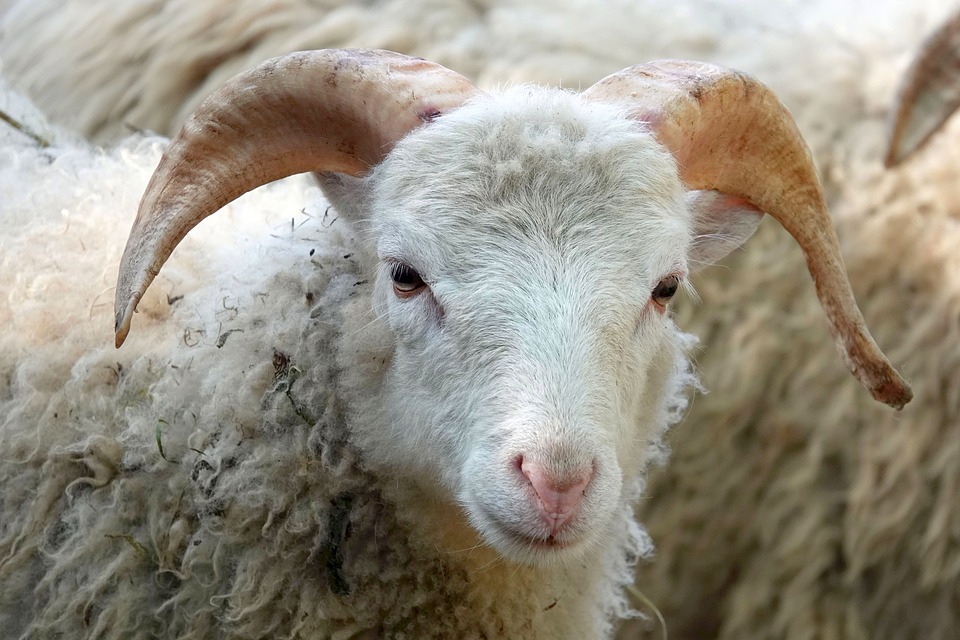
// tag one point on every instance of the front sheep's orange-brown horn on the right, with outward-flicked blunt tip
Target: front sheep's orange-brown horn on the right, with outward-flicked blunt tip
(730, 133)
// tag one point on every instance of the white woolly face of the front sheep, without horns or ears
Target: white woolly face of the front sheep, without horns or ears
(530, 369)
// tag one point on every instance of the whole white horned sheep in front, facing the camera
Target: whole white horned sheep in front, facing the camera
(390, 443)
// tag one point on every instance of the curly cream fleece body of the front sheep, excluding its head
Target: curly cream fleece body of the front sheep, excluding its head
(206, 480)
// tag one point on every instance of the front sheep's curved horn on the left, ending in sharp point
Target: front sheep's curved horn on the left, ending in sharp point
(335, 110)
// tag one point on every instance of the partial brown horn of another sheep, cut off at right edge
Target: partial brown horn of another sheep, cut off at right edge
(929, 93)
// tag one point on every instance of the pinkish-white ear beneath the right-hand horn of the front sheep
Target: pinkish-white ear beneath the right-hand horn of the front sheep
(722, 223)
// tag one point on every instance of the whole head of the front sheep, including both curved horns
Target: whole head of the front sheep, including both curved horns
(527, 247)
